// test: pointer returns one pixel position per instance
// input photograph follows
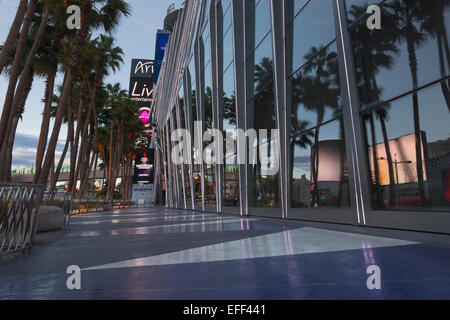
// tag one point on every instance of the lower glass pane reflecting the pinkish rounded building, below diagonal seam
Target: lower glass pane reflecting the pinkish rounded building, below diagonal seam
(319, 174)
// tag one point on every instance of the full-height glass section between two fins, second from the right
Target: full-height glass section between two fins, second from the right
(317, 153)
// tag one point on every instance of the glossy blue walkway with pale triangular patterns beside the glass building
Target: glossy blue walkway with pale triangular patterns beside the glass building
(167, 254)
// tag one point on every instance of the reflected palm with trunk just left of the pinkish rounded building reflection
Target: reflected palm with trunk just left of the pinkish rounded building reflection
(317, 91)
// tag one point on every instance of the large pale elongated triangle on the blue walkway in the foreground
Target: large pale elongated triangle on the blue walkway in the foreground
(292, 242)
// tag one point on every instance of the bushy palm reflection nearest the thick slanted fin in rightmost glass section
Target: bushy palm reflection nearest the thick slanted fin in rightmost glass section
(373, 51)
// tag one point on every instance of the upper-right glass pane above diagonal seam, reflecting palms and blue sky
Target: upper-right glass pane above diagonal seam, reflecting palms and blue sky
(408, 52)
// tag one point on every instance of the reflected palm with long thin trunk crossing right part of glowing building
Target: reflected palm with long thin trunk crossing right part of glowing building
(407, 18)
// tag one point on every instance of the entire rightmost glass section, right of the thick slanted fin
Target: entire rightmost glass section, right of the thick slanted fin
(406, 128)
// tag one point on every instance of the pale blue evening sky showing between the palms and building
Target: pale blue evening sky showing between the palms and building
(136, 35)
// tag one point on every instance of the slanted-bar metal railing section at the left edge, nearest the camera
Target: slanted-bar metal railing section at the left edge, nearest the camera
(19, 208)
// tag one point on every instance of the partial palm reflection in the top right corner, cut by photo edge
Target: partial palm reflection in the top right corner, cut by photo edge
(431, 16)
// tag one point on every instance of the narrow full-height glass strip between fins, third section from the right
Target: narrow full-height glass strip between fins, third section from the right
(263, 184)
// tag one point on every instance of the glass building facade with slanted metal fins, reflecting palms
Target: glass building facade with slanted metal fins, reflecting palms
(358, 117)
